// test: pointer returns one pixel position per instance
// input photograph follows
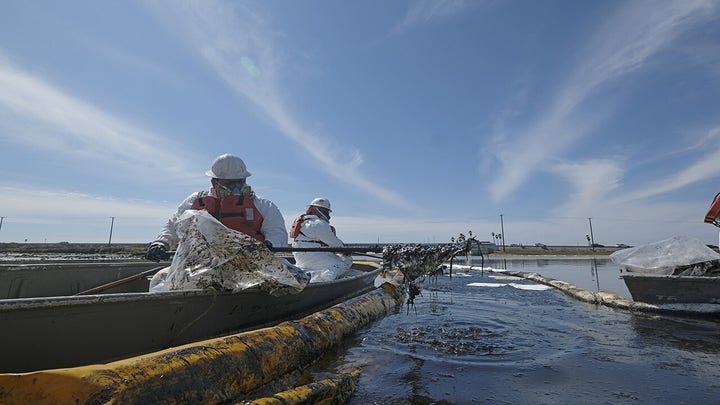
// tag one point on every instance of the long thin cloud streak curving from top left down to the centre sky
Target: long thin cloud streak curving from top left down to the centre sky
(240, 44)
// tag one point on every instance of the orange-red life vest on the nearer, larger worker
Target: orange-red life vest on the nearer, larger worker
(235, 211)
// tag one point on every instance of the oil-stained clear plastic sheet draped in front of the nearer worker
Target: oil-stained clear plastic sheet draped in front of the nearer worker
(211, 255)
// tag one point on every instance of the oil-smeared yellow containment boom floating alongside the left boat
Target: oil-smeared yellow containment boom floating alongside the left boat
(213, 371)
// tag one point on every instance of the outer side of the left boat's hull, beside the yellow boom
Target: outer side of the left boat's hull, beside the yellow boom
(57, 332)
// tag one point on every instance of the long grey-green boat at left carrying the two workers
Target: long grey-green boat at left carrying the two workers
(45, 326)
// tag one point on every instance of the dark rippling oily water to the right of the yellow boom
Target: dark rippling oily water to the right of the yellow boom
(467, 344)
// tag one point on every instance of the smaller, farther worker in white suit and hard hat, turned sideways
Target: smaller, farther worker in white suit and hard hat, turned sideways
(313, 229)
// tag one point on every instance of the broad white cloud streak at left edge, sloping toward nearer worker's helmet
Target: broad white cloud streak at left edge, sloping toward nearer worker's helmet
(74, 128)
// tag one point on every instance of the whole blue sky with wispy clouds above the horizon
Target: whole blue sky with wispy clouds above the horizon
(419, 120)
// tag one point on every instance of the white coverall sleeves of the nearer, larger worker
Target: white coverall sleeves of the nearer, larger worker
(273, 226)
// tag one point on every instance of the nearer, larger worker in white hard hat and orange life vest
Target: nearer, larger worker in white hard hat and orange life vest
(231, 201)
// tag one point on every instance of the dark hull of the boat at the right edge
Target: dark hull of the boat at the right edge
(668, 289)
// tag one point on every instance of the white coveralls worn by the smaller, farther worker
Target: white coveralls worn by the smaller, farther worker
(322, 266)
